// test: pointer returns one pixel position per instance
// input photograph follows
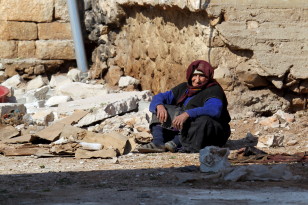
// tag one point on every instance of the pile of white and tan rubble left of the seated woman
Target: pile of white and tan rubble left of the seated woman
(71, 116)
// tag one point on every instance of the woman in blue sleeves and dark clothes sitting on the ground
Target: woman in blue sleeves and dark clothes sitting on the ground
(190, 116)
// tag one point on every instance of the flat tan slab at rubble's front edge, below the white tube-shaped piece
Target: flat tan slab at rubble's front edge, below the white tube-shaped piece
(104, 153)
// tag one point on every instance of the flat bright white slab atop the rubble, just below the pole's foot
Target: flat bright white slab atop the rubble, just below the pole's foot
(84, 90)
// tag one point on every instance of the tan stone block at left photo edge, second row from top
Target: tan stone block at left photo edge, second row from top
(11, 30)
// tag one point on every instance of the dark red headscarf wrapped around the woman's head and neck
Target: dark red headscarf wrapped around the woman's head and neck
(207, 70)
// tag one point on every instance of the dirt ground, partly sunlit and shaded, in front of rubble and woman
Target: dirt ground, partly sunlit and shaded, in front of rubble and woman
(158, 178)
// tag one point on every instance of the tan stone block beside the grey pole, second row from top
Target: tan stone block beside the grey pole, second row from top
(54, 30)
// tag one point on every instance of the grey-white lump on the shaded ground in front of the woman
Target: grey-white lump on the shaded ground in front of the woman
(214, 159)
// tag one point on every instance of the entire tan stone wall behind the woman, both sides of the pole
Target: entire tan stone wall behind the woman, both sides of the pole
(258, 48)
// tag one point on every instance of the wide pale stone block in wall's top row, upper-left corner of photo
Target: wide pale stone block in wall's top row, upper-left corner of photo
(29, 10)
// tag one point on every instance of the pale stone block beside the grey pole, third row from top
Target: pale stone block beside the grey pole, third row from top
(55, 49)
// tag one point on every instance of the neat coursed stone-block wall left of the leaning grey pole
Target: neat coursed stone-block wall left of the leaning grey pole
(35, 37)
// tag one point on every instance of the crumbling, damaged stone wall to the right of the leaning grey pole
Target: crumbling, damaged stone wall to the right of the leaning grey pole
(259, 48)
